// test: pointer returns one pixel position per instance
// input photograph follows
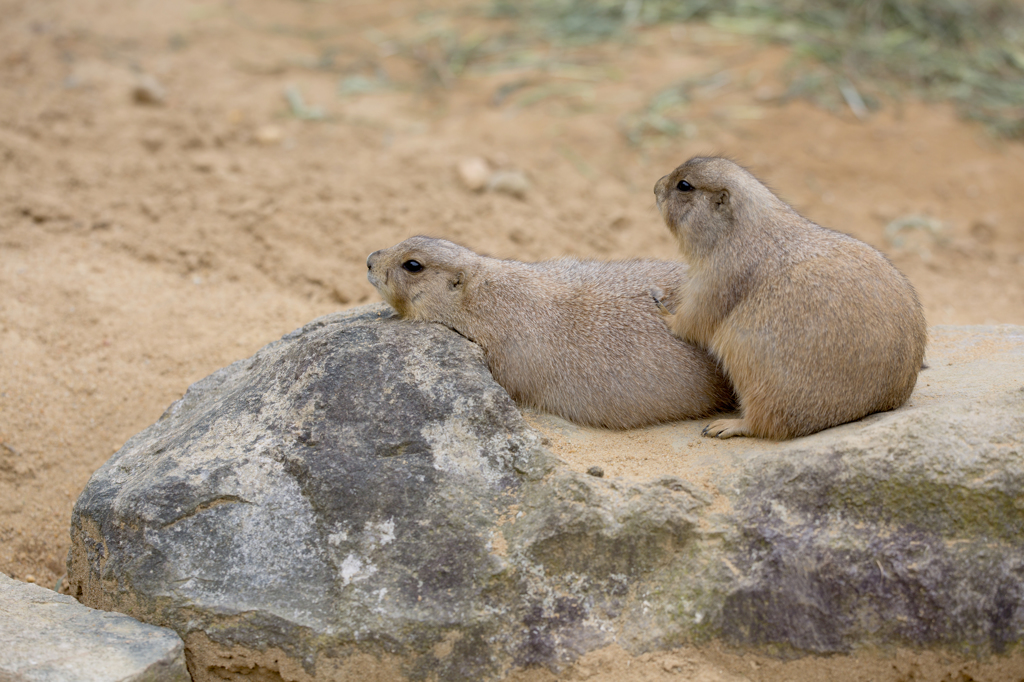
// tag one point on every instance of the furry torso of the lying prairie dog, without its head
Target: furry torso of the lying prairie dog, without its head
(600, 350)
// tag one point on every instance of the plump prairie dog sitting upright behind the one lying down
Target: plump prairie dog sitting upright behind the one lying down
(813, 327)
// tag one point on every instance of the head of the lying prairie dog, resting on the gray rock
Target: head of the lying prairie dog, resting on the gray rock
(422, 278)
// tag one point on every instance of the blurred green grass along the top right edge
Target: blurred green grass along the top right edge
(967, 52)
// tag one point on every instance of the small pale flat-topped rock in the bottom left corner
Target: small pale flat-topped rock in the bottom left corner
(49, 637)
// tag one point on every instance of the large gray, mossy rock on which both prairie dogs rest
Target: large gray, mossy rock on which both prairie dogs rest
(360, 498)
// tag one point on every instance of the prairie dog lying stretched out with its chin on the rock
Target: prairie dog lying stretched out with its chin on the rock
(582, 339)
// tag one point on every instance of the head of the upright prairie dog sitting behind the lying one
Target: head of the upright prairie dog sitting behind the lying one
(699, 201)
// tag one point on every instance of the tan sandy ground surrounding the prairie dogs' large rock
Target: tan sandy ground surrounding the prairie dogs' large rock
(164, 211)
